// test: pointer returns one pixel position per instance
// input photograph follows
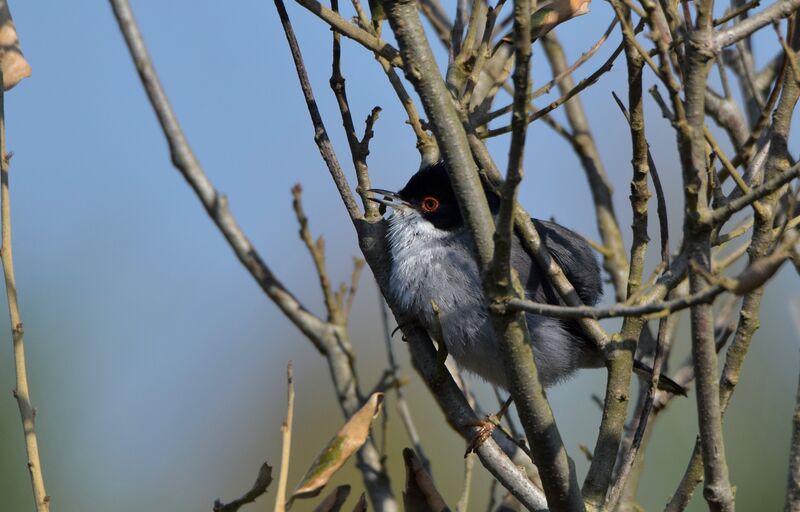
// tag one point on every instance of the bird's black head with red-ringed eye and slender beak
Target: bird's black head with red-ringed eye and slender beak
(429, 193)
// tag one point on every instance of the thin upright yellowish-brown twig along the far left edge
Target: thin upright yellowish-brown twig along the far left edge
(21, 390)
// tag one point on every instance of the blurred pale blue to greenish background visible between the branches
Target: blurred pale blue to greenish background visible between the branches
(156, 363)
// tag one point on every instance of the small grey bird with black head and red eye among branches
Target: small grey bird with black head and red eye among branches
(433, 262)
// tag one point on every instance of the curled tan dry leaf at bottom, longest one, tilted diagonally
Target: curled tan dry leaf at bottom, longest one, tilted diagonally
(345, 443)
